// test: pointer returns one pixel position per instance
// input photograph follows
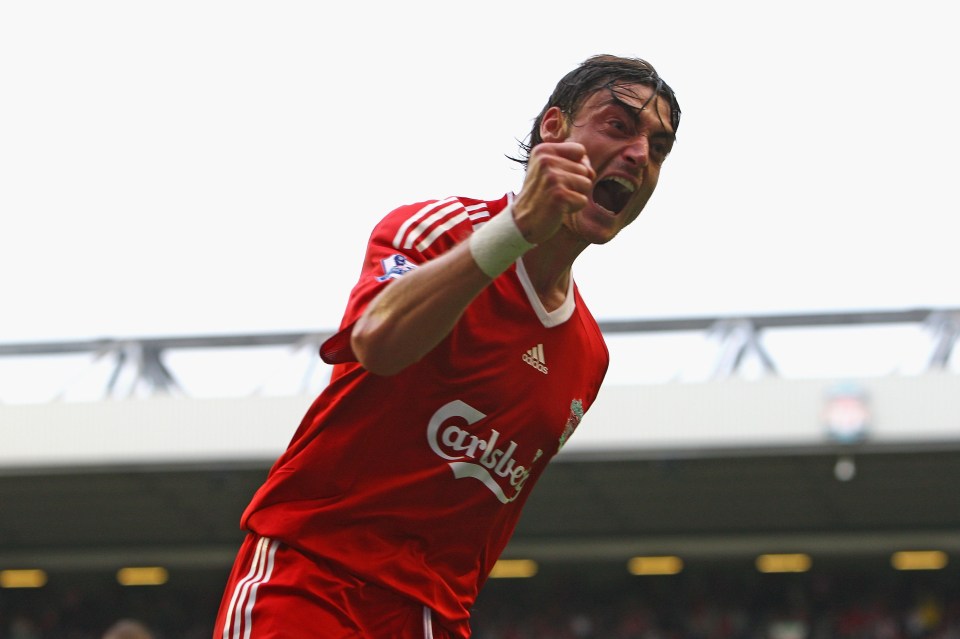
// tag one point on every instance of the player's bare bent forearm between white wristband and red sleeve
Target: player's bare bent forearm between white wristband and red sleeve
(412, 315)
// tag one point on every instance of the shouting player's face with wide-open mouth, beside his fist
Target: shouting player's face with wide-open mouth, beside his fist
(627, 143)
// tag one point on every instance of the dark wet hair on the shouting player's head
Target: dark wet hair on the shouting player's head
(596, 73)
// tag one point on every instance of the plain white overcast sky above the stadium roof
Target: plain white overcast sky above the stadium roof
(201, 167)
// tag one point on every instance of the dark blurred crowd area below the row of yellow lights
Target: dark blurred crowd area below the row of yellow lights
(725, 603)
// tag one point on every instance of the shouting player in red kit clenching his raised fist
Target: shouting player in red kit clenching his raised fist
(465, 360)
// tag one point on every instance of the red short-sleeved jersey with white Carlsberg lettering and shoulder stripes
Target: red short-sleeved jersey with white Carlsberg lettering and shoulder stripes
(416, 481)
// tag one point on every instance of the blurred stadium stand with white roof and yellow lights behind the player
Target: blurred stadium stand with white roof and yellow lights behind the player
(777, 477)
